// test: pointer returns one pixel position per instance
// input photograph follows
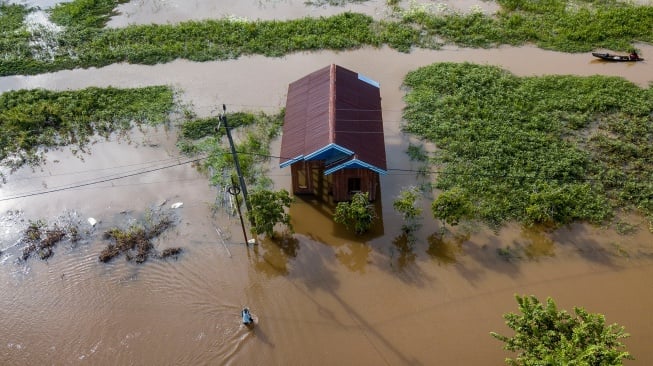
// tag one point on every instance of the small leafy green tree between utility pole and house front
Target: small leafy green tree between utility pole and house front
(268, 210)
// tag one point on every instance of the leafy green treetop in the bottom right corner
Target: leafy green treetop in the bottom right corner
(546, 336)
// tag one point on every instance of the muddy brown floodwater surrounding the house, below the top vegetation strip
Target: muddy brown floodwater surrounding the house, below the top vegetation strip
(327, 297)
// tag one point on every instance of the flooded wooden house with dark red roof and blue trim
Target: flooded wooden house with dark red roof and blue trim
(333, 134)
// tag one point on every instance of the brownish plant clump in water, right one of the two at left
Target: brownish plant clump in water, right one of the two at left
(136, 241)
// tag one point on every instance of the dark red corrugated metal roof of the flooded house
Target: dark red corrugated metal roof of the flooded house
(334, 105)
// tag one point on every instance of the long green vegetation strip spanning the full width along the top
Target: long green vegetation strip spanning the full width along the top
(573, 26)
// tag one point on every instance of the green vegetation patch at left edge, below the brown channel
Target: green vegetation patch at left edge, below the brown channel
(31, 120)
